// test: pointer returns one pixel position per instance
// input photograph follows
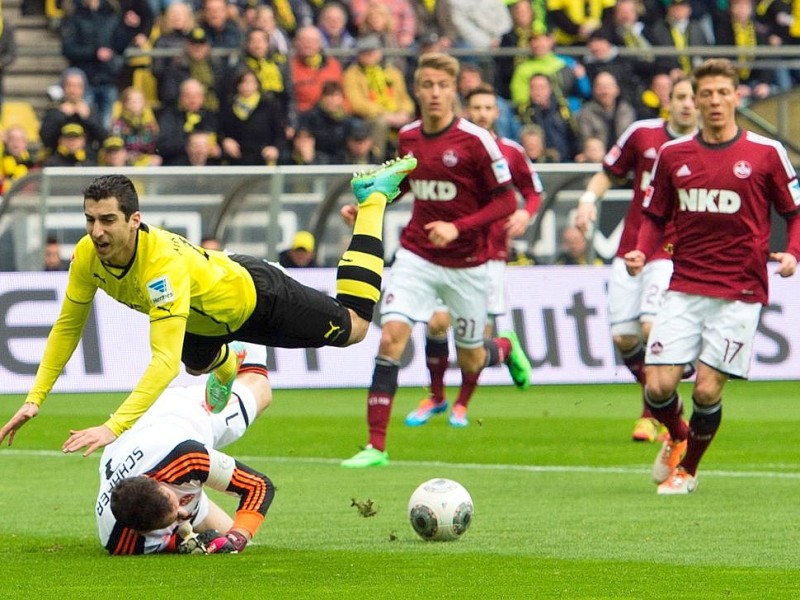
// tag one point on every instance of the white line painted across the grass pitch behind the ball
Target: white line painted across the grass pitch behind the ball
(622, 470)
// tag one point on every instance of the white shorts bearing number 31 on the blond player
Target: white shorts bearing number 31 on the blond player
(415, 285)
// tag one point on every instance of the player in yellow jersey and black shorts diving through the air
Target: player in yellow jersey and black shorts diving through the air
(200, 300)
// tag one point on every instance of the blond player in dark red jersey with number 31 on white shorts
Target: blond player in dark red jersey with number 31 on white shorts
(461, 185)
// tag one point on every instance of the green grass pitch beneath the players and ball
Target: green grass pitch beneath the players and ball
(564, 506)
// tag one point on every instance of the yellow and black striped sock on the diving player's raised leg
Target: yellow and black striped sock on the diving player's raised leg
(358, 279)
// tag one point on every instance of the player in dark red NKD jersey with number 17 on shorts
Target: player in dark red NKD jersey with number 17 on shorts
(718, 187)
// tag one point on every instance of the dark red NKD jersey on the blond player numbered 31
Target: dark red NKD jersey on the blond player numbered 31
(459, 171)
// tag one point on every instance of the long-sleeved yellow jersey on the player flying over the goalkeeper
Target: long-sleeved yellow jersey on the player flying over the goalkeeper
(180, 286)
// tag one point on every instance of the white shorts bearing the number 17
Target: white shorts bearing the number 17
(718, 332)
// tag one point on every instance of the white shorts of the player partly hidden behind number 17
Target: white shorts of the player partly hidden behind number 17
(632, 300)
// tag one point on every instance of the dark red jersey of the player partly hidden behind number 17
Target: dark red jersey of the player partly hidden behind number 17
(635, 152)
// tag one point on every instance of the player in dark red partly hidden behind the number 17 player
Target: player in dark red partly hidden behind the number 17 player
(634, 301)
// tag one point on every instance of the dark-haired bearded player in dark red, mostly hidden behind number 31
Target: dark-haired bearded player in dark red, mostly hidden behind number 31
(481, 108)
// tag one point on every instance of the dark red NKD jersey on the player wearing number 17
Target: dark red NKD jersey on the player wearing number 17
(719, 197)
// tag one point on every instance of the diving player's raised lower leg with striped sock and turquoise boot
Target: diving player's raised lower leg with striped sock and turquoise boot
(358, 279)
